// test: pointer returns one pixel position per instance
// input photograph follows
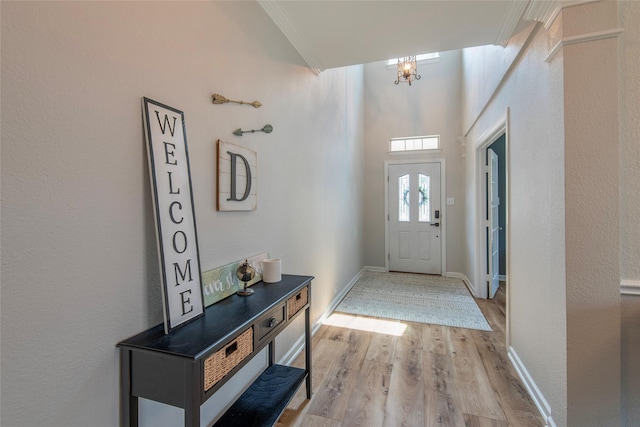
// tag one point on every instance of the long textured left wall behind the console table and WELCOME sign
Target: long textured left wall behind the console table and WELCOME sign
(79, 262)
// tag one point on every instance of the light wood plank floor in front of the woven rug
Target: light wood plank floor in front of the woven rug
(429, 376)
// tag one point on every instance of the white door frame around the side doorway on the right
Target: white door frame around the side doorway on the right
(480, 149)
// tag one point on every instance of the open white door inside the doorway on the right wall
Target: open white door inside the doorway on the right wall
(493, 203)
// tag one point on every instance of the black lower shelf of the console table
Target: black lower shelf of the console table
(265, 400)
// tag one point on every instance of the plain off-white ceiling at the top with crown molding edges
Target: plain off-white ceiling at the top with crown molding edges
(336, 33)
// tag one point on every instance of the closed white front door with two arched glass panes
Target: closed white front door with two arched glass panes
(414, 218)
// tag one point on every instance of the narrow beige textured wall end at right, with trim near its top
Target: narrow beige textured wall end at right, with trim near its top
(592, 217)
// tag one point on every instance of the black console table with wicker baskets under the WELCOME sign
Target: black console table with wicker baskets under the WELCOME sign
(187, 366)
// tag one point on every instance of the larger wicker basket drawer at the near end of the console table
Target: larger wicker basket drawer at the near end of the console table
(224, 360)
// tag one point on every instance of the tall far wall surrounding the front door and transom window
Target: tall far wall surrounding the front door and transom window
(430, 106)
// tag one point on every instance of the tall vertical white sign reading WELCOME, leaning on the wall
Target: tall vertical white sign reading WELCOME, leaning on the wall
(175, 218)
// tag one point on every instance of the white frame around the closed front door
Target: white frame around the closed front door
(443, 209)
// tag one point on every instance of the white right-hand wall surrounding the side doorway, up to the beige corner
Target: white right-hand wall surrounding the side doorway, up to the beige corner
(532, 96)
